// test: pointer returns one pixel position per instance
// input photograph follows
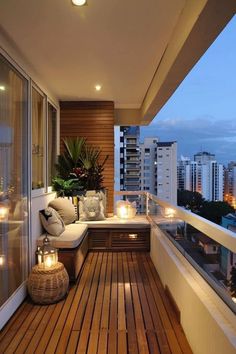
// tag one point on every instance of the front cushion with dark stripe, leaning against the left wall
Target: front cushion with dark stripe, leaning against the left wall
(52, 222)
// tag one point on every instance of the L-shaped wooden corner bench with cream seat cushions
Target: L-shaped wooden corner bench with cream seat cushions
(112, 234)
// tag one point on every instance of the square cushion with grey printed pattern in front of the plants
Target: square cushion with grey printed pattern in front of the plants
(91, 208)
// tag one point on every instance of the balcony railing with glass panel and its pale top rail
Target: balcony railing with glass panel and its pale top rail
(208, 247)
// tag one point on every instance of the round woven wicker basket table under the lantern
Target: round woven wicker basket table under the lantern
(47, 286)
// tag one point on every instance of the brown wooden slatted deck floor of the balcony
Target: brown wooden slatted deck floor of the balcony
(117, 306)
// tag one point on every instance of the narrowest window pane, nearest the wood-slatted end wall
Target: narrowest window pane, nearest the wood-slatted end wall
(52, 142)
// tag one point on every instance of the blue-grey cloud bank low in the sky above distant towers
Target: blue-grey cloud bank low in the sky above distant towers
(203, 133)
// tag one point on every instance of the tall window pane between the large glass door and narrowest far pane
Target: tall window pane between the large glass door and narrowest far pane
(37, 140)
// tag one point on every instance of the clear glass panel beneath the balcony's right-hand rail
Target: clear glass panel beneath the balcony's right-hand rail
(215, 263)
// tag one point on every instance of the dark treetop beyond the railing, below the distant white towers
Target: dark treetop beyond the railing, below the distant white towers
(190, 200)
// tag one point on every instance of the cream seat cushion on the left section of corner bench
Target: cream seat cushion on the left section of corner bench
(70, 238)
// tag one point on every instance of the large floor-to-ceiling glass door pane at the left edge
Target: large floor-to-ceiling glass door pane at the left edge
(13, 180)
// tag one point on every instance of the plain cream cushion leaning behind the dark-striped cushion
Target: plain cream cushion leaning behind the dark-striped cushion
(65, 209)
